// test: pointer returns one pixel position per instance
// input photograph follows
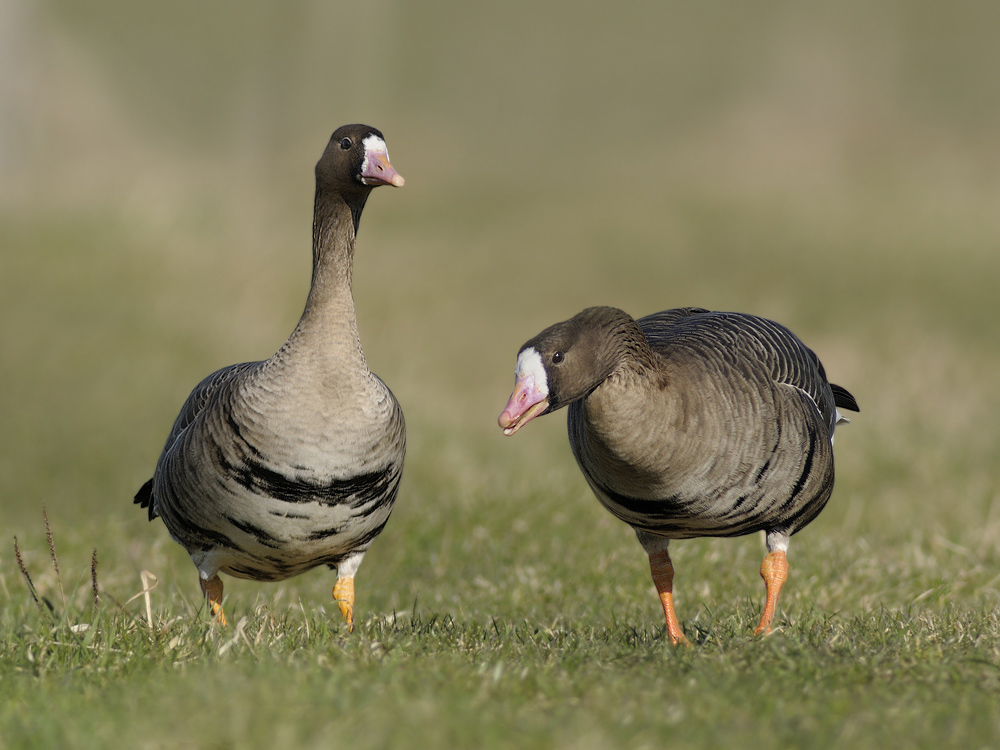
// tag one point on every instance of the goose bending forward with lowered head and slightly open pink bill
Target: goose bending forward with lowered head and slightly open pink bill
(689, 423)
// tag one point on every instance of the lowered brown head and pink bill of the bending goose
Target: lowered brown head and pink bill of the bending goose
(566, 362)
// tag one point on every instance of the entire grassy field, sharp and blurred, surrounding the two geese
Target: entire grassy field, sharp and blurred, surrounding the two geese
(833, 168)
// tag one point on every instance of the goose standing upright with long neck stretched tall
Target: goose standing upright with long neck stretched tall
(275, 467)
